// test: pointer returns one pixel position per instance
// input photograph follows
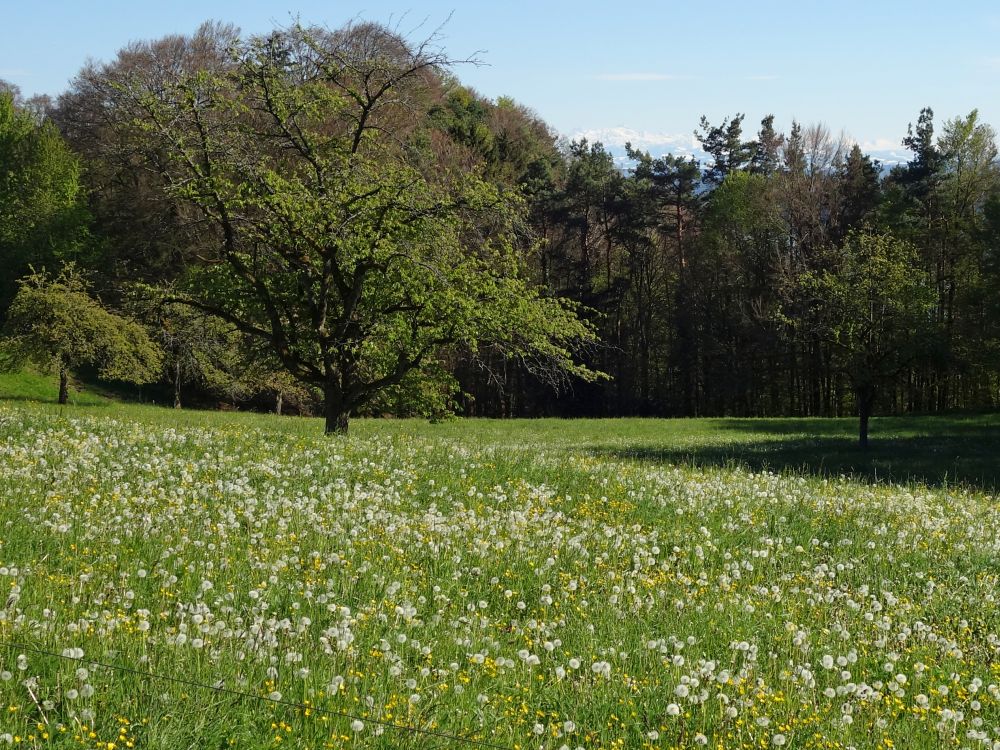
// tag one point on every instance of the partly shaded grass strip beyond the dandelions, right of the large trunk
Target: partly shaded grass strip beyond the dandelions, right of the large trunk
(938, 450)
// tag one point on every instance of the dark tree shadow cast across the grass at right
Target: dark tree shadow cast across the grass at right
(936, 451)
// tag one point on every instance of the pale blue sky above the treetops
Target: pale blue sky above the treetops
(645, 70)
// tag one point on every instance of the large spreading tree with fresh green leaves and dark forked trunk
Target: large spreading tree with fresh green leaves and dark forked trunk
(341, 237)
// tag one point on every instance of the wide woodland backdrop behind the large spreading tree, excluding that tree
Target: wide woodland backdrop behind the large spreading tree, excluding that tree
(787, 274)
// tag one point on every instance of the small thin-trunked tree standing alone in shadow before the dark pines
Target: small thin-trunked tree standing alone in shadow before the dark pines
(875, 306)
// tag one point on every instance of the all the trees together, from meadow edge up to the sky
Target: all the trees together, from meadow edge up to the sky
(483, 265)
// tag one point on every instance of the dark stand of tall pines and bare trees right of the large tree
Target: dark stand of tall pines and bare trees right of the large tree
(702, 278)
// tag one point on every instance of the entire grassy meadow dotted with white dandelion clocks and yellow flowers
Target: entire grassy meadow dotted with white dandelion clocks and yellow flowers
(604, 584)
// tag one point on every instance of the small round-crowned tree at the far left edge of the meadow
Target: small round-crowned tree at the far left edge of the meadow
(55, 324)
